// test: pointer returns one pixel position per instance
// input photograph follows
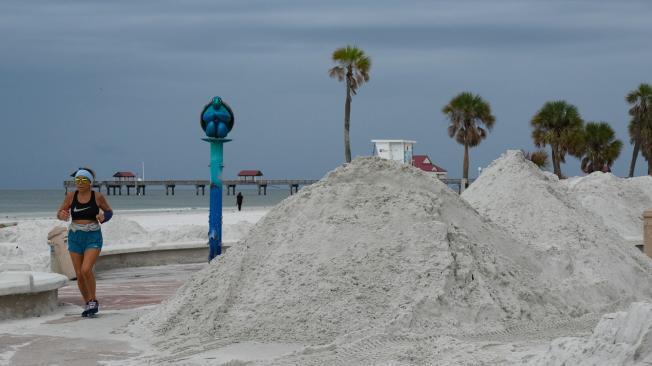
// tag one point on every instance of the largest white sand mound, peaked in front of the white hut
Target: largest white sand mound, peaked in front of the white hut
(374, 245)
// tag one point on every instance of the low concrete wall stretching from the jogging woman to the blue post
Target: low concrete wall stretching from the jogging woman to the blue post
(153, 256)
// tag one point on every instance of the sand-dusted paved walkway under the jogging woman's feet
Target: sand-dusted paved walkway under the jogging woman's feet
(65, 338)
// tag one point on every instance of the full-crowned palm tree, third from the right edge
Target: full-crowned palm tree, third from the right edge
(559, 125)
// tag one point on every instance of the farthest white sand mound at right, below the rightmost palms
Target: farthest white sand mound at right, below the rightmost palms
(619, 202)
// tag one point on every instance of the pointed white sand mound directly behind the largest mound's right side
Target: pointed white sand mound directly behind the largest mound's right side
(592, 267)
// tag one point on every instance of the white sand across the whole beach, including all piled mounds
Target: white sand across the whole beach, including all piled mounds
(522, 268)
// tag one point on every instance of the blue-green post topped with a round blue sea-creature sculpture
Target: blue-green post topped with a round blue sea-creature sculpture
(217, 121)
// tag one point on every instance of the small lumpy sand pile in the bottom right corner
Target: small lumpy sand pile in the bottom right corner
(623, 339)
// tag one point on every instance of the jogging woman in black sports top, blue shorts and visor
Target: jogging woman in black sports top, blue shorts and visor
(88, 209)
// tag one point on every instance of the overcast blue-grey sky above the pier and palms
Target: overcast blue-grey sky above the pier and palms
(111, 84)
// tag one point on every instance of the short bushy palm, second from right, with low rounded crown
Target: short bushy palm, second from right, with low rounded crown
(600, 147)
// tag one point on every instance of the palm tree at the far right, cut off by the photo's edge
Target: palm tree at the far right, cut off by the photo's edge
(640, 101)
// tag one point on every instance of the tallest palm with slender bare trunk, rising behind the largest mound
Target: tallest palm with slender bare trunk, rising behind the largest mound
(353, 66)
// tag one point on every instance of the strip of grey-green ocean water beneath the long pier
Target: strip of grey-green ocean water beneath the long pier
(44, 203)
